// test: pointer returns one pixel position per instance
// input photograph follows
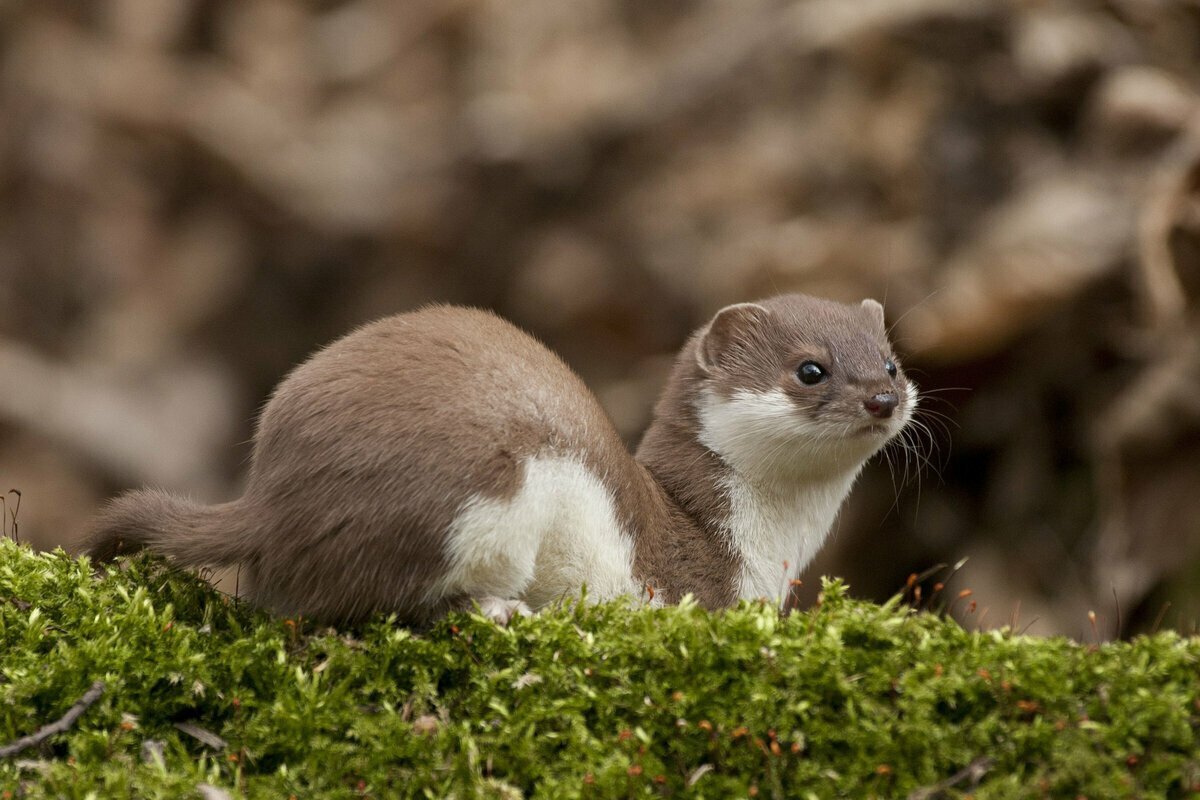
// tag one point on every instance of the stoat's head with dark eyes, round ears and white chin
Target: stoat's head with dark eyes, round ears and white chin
(797, 384)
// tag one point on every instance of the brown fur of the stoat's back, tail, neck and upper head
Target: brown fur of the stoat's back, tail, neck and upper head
(367, 453)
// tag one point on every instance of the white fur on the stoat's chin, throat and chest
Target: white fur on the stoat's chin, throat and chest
(789, 478)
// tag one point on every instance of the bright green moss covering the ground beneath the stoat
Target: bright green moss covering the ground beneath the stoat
(849, 700)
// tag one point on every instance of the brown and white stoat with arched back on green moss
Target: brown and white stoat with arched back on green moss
(443, 458)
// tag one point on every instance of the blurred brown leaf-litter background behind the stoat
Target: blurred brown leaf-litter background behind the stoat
(196, 194)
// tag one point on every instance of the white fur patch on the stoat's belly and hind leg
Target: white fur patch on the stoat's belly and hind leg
(559, 533)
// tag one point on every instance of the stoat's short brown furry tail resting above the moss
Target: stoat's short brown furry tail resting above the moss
(189, 533)
